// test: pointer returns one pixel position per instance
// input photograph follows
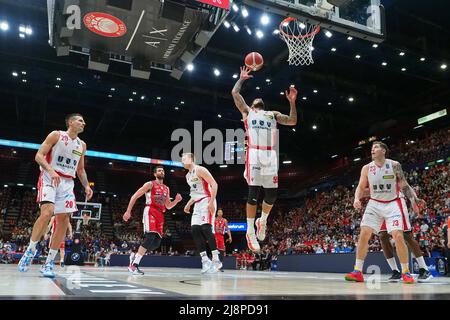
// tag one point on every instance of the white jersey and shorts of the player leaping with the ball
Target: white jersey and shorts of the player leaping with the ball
(261, 163)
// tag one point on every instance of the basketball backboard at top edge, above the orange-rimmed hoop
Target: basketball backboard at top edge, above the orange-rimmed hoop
(363, 19)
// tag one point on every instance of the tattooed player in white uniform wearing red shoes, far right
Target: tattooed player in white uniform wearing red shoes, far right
(385, 179)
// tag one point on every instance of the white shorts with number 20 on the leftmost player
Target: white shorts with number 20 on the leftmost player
(61, 196)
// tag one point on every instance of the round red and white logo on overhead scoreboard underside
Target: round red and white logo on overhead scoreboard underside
(105, 24)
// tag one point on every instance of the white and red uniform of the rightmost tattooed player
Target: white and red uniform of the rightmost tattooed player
(385, 203)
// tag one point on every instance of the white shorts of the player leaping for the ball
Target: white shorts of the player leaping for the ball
(261, 168)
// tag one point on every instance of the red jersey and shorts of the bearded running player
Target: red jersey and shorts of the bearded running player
(155, 206)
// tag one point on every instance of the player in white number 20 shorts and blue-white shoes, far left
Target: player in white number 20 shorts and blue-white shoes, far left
(61, 158)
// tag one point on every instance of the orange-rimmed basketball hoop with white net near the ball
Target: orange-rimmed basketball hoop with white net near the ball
(299, 37)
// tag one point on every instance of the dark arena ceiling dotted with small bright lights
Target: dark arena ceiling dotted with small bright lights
(385, 97)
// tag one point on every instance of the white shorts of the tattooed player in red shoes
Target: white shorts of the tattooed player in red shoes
(392, 213)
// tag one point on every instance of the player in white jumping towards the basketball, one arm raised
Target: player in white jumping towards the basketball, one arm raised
(261, 168)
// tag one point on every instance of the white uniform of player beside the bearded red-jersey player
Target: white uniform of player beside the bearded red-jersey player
(201, 193)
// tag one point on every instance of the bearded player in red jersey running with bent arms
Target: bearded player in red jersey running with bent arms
(157, 196)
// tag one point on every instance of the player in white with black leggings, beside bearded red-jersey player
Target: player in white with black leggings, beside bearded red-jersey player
(203, 196)
